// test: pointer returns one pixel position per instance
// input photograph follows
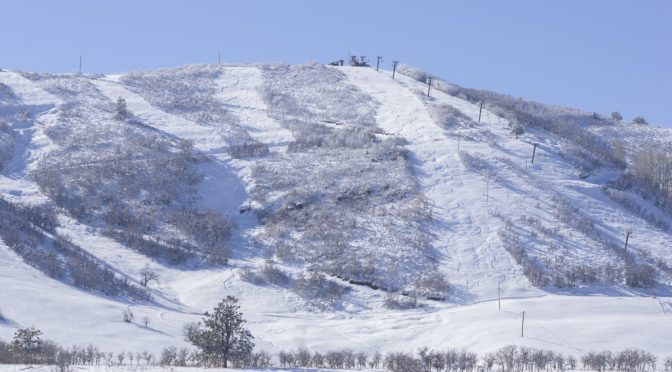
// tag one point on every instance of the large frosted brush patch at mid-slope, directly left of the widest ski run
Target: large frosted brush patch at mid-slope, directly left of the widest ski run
(342, 213)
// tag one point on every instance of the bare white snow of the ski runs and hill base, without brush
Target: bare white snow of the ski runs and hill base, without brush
(465, 238)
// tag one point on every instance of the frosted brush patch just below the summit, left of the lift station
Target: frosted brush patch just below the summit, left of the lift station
(341, 117)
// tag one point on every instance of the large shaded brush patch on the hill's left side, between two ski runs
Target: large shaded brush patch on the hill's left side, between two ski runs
(150, 178)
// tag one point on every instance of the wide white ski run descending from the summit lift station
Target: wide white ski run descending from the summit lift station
(435, 160)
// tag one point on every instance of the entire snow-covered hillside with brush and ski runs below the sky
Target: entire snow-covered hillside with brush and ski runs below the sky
(342, 171)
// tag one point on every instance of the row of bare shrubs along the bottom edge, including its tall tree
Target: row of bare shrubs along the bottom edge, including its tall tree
(222, 339)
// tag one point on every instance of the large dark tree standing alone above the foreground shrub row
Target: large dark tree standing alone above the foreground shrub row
(223, 335)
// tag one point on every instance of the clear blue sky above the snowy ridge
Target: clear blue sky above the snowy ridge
(597, 55)
